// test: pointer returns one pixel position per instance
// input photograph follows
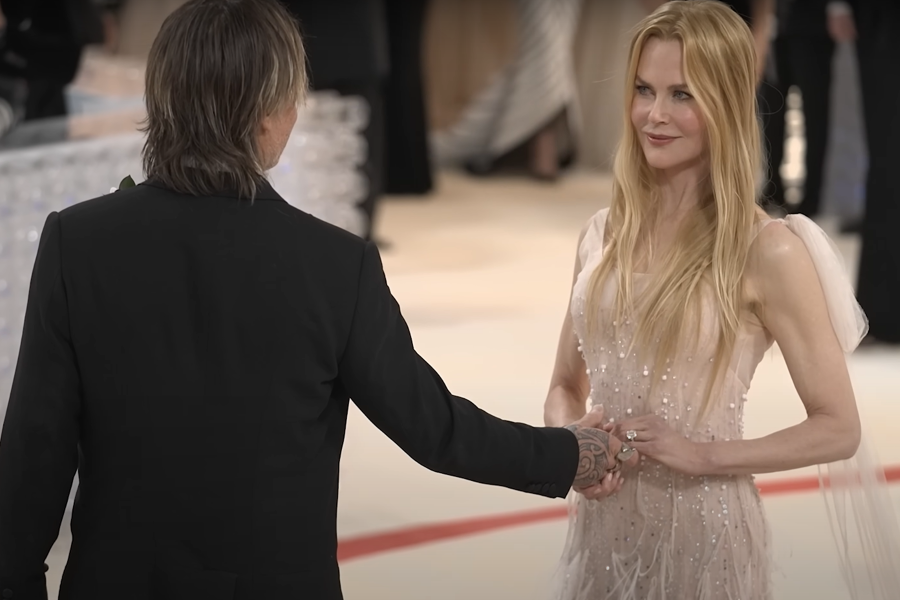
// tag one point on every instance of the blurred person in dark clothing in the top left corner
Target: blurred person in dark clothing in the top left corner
(42, 46)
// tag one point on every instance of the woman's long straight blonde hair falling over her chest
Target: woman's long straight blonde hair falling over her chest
(711, 248)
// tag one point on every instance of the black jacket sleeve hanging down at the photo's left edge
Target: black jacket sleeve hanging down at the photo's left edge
(39, 442)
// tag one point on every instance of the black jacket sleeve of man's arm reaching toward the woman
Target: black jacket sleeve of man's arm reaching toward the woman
(406, 399)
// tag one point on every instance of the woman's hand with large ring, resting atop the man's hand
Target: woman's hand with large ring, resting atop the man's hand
(651, 436)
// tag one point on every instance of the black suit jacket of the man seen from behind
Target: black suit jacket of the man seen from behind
(193, 358)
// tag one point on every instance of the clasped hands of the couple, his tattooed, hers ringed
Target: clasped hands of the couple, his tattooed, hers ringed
(600, 451)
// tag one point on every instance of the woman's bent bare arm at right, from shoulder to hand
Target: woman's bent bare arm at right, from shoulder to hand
(783, 280)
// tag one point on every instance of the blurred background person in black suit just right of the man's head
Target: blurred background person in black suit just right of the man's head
(347, 46)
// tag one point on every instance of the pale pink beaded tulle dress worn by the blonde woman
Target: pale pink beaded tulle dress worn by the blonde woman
(668, 536)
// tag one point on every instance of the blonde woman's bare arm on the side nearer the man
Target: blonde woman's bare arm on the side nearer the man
(569, 386)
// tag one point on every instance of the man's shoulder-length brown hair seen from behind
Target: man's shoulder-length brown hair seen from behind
(215, 70)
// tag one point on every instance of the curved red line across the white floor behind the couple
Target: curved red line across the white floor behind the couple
(366, 545)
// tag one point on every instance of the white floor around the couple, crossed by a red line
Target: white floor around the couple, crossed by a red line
(482, 271)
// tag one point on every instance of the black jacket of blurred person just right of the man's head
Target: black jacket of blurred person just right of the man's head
(345, 40)
